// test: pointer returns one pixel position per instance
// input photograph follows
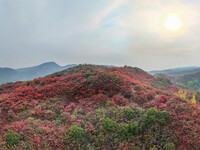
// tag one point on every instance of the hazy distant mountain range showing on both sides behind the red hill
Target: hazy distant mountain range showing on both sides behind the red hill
(185, 77)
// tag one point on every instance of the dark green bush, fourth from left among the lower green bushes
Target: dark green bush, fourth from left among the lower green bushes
(123, 131)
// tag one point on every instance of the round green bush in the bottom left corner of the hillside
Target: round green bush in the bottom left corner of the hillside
(12, 138)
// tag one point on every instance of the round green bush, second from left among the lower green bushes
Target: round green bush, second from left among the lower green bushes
(76, 132)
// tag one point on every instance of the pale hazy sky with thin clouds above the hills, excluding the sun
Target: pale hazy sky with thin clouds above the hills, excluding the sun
(110, 32)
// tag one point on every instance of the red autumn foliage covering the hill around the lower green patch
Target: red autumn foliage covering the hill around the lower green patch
(121, 86)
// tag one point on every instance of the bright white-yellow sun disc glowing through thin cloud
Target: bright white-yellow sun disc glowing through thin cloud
(173, 22)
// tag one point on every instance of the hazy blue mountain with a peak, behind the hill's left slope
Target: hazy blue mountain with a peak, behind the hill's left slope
(24, 74)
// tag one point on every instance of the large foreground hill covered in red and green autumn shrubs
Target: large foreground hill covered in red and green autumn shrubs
(95, 107)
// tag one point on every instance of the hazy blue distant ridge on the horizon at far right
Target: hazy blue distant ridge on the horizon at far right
(176, 71)
